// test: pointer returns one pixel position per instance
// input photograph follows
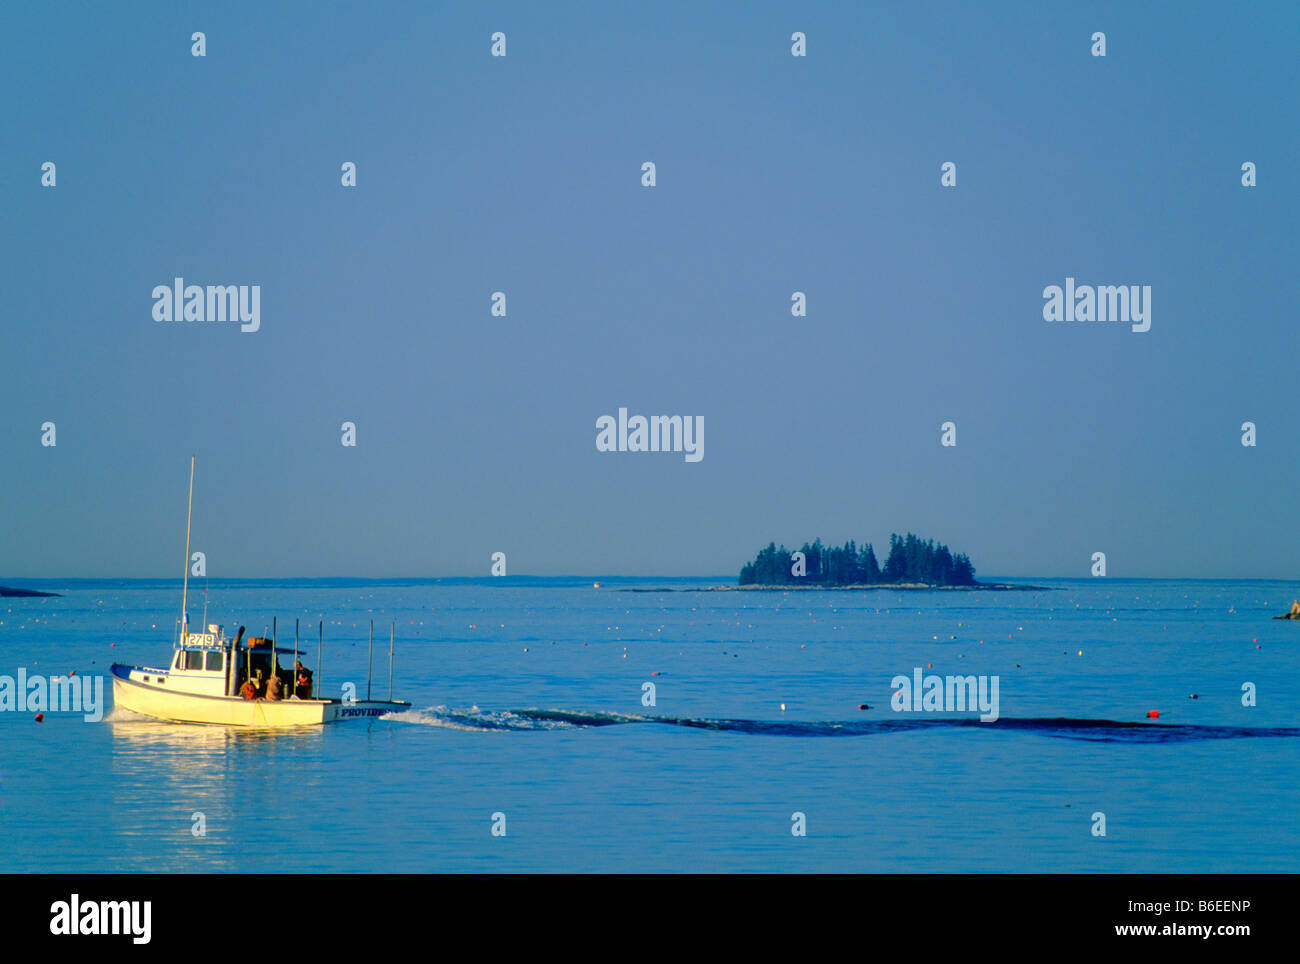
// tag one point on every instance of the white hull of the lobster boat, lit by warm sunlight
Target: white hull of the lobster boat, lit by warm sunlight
(176, 706)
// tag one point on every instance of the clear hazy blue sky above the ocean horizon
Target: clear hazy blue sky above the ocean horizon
(523, 175)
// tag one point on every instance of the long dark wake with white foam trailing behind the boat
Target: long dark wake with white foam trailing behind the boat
(1060, 728)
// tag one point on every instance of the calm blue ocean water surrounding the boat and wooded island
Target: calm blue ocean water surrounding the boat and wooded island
(597, 788)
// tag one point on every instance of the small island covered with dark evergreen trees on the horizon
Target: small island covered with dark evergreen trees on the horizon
(912, 563)
